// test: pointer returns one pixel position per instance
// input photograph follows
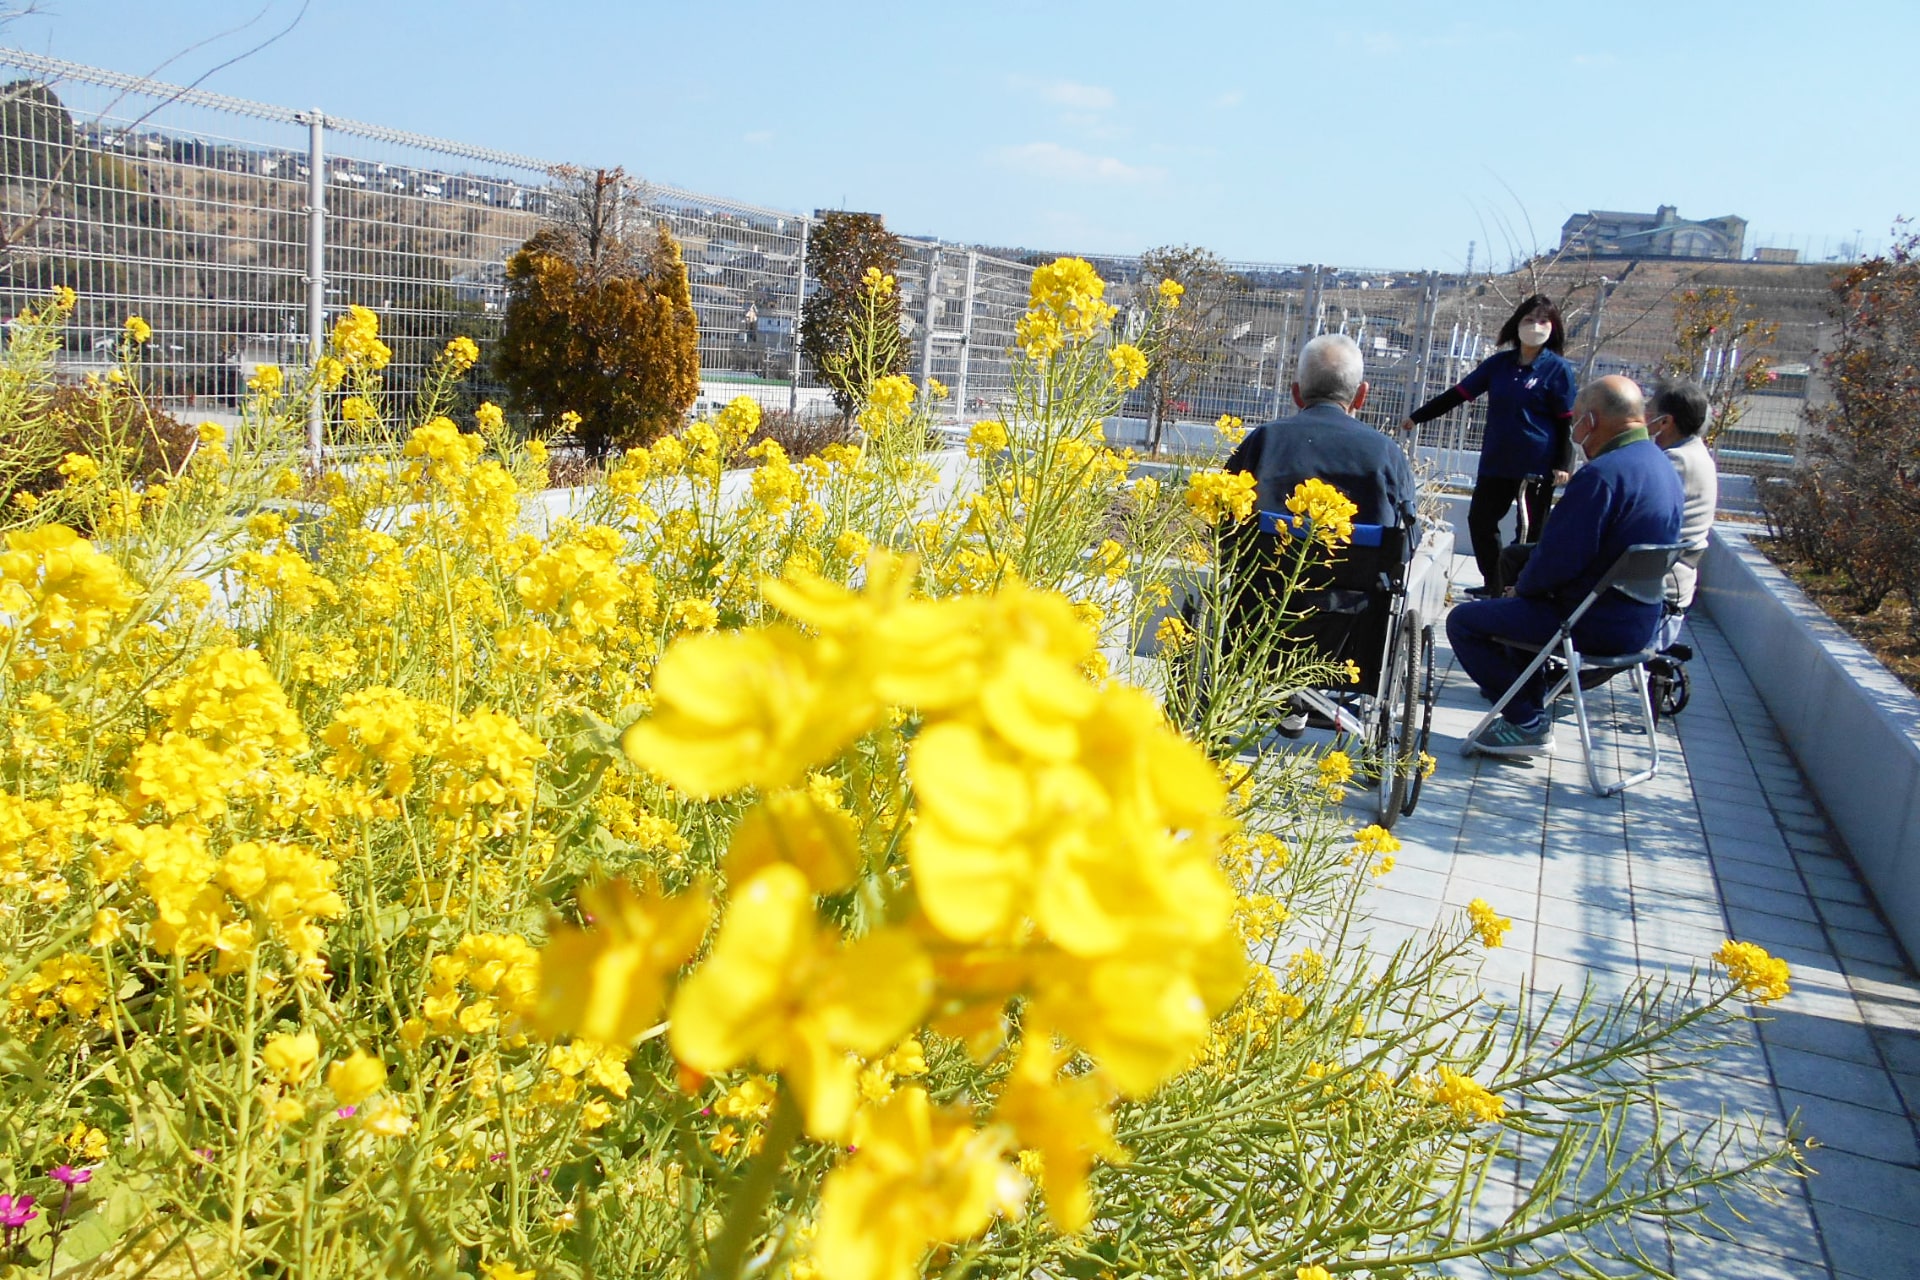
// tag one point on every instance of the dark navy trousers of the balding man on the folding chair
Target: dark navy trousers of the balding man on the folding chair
(1477, 628)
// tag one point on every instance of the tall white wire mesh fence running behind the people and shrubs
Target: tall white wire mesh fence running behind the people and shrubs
(197, 212)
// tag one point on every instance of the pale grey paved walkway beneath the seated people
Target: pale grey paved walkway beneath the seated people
(1727, 841)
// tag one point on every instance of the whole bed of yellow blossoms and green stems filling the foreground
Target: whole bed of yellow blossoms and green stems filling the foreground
(729, 872)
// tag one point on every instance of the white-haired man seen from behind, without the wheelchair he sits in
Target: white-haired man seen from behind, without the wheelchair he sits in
(1328, 442)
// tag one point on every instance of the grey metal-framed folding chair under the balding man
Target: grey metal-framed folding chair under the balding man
(1641, 573)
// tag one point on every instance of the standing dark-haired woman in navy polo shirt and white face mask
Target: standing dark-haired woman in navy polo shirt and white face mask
(1529, 406)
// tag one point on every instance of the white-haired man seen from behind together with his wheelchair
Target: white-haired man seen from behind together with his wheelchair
(1355, 609)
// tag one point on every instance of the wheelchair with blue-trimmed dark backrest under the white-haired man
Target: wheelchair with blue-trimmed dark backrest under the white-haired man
(1366, 607)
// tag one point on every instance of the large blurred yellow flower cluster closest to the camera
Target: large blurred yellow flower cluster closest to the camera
(1065, 851)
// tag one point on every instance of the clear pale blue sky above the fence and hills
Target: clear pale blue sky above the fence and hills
(1387, 133)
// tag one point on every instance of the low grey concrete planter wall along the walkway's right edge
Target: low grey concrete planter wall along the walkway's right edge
(1850, 723)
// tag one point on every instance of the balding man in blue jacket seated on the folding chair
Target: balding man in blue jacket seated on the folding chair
(1627, 494)
